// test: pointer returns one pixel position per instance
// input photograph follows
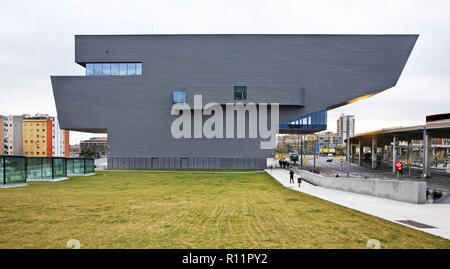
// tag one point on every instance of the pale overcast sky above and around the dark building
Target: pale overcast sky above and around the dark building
(37, 40)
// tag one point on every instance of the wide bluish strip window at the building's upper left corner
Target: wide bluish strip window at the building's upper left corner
(114, 69)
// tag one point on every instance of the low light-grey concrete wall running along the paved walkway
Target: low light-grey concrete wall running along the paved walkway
(401, 190)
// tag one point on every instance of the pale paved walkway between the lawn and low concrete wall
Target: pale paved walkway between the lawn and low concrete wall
(436, 215)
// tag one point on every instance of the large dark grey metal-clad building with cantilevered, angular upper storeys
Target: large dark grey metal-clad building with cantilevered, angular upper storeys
(132, 82)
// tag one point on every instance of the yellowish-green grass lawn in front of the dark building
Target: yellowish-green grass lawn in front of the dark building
(183, 210)
